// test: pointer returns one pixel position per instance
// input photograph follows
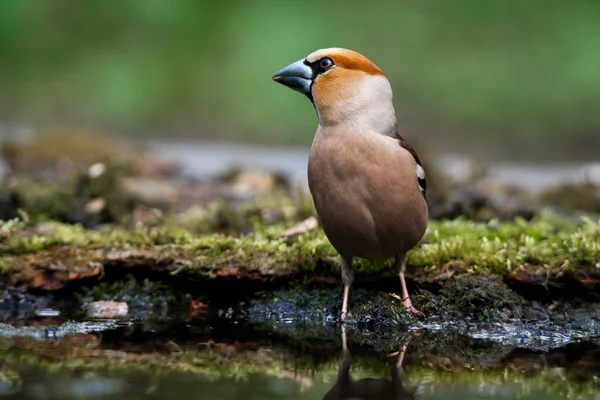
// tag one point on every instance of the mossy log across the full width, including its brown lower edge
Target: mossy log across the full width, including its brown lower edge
(551, 253)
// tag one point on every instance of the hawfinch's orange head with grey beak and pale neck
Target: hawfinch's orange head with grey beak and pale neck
(345, 88)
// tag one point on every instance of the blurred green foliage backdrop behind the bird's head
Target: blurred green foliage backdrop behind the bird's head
(506, 78)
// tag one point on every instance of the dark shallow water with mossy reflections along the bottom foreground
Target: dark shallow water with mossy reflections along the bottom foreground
(225, 359)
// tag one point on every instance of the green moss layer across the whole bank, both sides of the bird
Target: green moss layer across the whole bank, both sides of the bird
(546, 245)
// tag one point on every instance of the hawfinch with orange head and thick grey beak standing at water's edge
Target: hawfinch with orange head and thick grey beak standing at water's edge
(366, 181)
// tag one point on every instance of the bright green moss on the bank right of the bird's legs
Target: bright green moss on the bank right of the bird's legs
(511, 246)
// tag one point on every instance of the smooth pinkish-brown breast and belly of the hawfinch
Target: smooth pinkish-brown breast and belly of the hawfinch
(365, 189)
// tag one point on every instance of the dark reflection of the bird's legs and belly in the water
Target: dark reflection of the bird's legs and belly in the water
(368, 388)
